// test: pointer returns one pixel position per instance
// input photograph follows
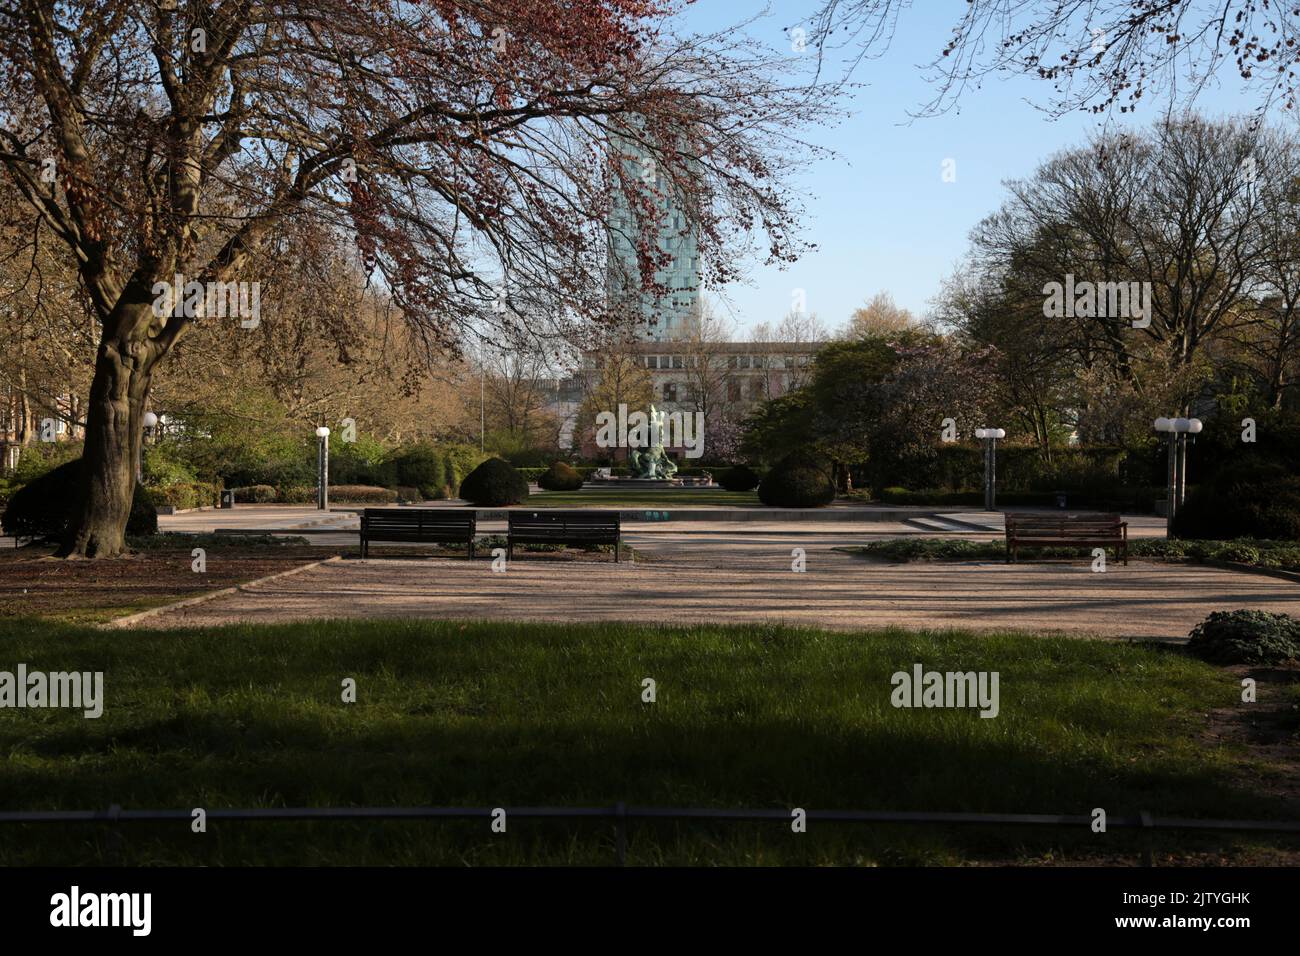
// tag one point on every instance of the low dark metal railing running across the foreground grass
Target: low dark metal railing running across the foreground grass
(622, 815)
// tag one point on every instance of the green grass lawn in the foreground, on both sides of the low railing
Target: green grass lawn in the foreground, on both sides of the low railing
(509, 715)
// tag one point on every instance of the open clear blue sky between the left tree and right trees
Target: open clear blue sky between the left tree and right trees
(881, 213)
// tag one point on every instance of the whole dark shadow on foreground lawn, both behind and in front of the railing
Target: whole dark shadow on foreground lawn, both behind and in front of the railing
(207, 760)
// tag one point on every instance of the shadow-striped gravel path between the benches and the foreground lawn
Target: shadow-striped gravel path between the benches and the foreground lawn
(751, 581)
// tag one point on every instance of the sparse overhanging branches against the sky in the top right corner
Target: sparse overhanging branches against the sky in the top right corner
(1097, 55)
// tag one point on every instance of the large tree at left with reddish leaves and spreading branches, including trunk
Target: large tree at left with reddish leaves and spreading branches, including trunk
(465, 145)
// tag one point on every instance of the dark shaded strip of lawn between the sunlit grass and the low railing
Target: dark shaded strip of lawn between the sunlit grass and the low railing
(925, 762)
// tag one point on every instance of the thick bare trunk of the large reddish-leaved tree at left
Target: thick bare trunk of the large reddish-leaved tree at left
(112, 453)
